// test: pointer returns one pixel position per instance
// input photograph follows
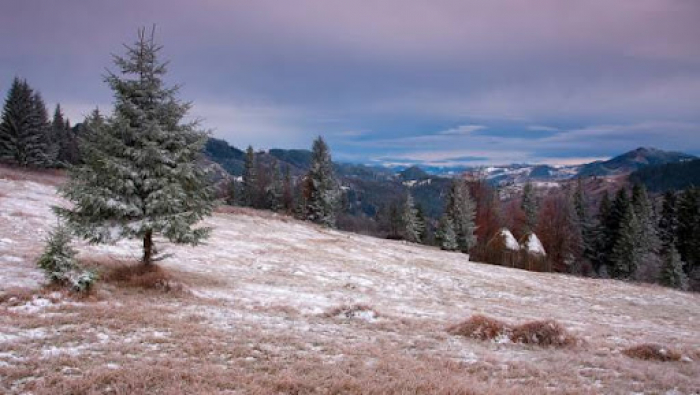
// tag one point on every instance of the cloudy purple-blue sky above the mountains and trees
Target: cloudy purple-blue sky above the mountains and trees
(391, 81)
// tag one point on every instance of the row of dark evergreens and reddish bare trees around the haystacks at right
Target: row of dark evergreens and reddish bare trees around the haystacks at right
(627, 236)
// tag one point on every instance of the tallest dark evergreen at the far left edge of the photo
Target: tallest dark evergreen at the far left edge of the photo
(24, 128)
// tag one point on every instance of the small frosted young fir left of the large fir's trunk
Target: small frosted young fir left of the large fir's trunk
(59, 264)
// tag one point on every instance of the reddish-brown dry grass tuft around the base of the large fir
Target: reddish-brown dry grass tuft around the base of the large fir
(151, 277)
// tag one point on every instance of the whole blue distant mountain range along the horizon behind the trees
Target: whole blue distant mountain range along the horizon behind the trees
(369, 188)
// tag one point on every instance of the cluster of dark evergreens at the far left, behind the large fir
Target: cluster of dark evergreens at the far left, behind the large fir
(29, 138)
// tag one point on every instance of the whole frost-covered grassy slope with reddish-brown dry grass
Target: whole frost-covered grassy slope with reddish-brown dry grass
(272, 305)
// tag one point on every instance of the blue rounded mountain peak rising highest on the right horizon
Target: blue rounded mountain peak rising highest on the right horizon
(631, 161)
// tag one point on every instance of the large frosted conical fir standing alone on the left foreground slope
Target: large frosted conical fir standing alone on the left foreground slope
(140, 177)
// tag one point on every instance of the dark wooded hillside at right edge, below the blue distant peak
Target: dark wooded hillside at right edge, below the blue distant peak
(671, 176)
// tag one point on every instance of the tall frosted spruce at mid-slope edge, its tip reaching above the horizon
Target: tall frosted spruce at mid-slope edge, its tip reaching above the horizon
(323, 189)
